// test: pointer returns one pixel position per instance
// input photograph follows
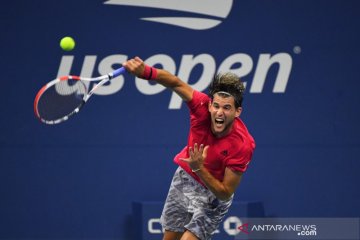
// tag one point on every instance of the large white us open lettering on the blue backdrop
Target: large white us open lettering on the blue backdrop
(187, 64)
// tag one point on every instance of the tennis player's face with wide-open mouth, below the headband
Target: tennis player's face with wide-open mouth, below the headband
(223, 113)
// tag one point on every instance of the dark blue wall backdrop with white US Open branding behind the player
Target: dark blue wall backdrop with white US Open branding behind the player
(299, 59)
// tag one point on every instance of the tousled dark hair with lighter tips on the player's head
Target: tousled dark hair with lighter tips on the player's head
(230, 83)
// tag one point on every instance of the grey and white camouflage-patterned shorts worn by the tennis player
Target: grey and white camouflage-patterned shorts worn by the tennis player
(190, 206)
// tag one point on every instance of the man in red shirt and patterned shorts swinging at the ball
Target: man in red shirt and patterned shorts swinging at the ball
(211, 166)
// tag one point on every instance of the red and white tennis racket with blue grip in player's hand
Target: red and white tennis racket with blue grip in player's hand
(61, 98)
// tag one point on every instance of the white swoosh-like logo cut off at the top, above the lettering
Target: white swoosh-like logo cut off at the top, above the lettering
(210, 13)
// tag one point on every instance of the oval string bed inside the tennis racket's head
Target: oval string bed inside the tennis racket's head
(61, 99)
